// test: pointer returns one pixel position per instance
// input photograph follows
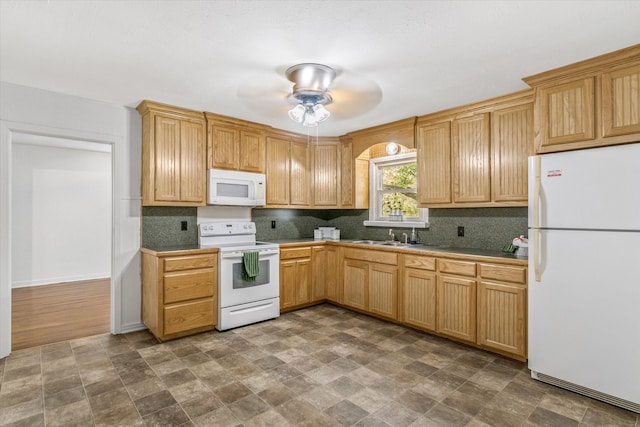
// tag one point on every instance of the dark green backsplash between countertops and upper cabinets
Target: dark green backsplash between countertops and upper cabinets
(486, 228)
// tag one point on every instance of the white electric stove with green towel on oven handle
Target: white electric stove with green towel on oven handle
(242, 301)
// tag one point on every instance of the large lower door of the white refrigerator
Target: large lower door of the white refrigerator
(583, 314)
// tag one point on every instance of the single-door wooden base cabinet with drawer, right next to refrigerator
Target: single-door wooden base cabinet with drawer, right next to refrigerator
(502, 303)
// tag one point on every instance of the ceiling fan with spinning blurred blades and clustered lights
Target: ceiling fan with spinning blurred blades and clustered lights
(310, 87)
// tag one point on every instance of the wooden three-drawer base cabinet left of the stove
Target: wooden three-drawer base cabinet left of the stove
(179, 293)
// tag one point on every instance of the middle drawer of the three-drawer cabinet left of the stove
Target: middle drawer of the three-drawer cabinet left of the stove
(183, 286)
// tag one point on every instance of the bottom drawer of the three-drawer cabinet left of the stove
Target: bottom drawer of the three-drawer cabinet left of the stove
(186, 316)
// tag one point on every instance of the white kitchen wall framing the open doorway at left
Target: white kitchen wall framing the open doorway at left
(35, 111)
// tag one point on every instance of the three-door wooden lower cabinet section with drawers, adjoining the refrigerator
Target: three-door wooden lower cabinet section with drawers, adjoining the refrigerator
(483, 304)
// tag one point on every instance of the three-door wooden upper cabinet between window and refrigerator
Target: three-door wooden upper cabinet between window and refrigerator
(476, 155)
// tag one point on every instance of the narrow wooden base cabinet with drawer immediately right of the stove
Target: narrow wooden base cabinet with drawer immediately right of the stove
(295, 277)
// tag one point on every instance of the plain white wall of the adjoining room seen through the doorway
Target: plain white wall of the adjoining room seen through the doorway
(61, 213)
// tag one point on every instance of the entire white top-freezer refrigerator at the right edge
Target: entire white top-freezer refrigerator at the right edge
(584, 272)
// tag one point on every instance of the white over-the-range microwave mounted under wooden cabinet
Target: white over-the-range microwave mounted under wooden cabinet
(235, 188)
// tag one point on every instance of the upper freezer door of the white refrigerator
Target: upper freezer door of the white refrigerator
(597, 188)
